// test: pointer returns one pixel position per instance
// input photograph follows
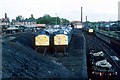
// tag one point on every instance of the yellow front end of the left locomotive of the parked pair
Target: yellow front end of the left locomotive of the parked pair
(42, 40)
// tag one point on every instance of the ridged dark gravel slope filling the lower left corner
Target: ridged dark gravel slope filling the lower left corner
(20, 61)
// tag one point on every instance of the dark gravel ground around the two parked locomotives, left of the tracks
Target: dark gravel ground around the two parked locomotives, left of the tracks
(20, 60)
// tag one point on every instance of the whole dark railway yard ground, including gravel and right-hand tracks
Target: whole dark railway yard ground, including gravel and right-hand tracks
(20, 59)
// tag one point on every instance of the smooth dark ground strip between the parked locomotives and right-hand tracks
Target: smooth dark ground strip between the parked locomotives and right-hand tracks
(73, 60)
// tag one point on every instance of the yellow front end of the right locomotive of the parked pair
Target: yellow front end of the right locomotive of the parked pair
(61, 39)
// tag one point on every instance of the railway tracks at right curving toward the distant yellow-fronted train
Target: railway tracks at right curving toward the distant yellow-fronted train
(100, 45)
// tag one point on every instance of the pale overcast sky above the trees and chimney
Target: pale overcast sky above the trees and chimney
(96, 10)
